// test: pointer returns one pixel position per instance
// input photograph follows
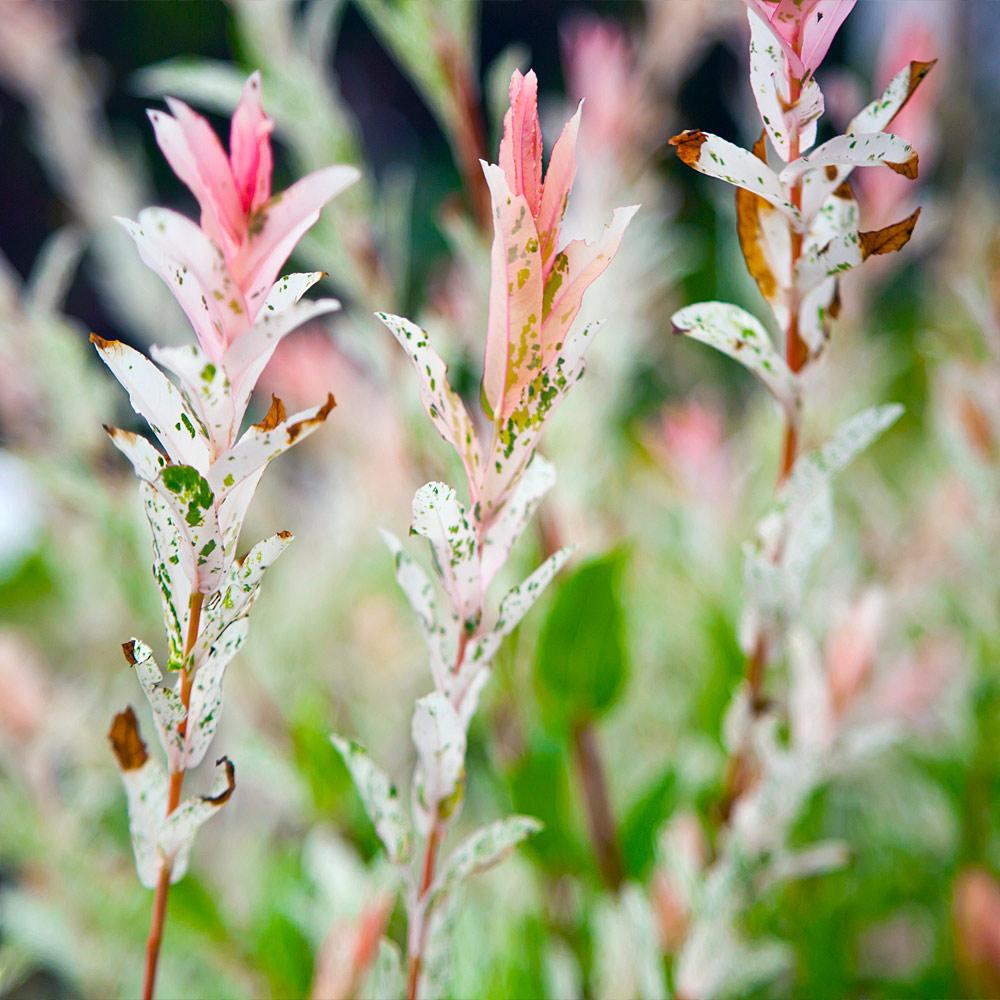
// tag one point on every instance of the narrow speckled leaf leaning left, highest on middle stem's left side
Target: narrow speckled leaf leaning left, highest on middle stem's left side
(441, 402)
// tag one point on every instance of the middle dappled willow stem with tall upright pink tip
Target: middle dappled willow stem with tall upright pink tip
(534, 354)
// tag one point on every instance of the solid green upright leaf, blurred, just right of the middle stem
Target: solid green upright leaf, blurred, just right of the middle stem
(582, 661)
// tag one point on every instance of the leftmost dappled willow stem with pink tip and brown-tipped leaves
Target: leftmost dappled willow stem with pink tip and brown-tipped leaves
(196, 491)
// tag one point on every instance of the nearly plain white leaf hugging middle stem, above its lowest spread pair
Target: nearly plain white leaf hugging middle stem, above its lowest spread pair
(439, 737)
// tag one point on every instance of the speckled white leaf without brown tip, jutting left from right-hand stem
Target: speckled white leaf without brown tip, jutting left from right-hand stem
(734, 332)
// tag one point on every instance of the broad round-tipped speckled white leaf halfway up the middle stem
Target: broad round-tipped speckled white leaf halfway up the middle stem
(439, 516)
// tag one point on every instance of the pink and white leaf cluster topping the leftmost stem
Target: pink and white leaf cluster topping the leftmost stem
(253, 231)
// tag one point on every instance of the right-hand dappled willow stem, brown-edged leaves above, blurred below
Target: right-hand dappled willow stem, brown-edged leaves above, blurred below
(799, 230)
